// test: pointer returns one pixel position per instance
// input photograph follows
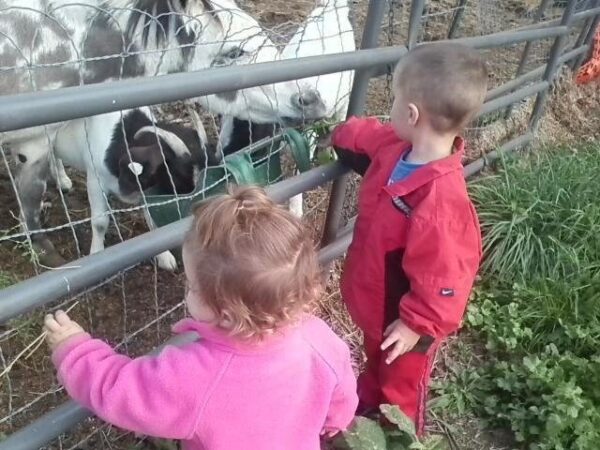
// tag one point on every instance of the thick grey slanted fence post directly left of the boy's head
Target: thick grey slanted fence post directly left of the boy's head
(356, 105)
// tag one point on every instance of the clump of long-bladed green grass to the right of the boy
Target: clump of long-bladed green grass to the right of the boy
(540, 216)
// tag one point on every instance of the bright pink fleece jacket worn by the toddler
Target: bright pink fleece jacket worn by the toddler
(219, 393)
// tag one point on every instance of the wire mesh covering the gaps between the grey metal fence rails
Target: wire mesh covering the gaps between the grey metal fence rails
(51, 44)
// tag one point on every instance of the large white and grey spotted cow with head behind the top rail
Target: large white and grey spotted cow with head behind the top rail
(49, 44)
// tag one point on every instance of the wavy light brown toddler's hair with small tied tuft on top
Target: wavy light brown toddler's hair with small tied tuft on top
(253, 262)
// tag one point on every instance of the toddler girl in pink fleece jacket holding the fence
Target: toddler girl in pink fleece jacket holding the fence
(265, 373)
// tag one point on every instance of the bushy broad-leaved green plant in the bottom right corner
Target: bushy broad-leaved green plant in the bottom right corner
(548, 400)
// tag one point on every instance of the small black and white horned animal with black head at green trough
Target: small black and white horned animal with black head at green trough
(129, 153)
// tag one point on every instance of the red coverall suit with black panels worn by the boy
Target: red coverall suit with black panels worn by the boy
(414, 255)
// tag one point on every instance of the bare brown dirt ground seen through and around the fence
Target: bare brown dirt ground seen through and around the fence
(144, 300)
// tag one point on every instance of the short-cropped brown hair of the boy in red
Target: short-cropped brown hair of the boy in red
(447, 81)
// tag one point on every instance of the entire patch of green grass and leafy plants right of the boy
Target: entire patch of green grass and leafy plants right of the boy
(537, 310)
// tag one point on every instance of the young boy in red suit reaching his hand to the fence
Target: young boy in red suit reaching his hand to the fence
(417, 245)
